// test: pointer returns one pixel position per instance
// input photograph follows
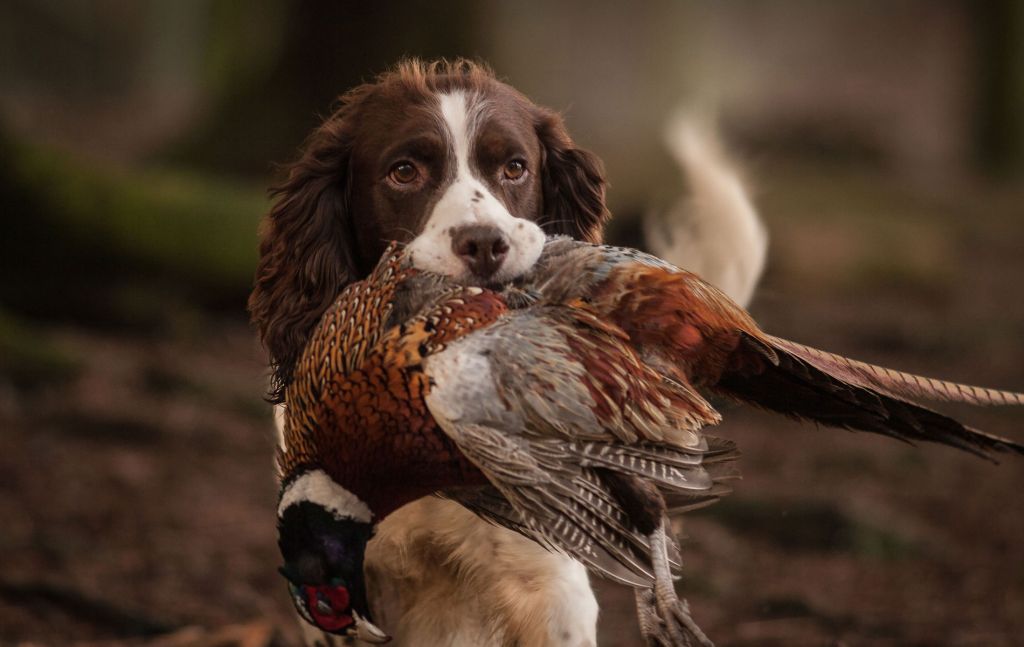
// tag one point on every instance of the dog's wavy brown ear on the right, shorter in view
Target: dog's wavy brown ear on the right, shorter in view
(573, 181)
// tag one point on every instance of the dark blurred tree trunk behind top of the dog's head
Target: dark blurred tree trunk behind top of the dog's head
(327, 48)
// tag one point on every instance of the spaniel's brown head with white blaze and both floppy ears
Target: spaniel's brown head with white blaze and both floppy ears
(443, 157)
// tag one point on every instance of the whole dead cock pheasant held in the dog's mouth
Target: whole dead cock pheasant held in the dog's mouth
(568, 407)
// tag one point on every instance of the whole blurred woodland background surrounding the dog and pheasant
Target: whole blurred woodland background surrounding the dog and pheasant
(886, 145)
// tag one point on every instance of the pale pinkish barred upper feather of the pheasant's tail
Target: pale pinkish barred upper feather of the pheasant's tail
(895, 383)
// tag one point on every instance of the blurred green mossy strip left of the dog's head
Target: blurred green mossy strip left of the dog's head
(195, 228)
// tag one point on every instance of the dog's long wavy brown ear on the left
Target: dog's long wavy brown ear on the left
(306, 256)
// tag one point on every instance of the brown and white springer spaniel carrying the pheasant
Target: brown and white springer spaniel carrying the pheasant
(472, 176)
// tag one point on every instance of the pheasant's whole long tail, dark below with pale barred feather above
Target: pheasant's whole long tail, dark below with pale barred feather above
(809, 384)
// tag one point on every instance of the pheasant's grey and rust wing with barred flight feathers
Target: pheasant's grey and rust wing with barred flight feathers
(542, 402)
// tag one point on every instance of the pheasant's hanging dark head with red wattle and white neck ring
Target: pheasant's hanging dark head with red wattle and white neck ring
(323, 533)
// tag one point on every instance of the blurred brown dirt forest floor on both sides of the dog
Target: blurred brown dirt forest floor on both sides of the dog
(137, 494)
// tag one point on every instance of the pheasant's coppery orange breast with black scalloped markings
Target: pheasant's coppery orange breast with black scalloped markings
(357, 407)
